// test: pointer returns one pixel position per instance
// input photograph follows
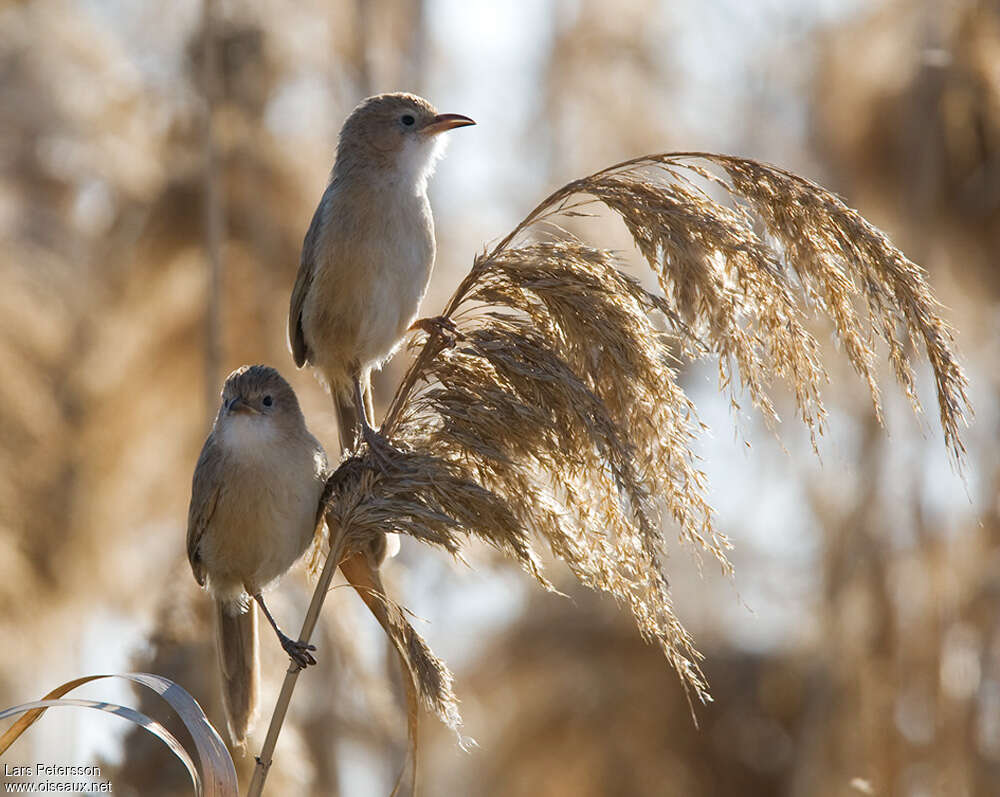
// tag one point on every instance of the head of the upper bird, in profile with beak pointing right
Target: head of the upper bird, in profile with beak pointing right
(396, 137)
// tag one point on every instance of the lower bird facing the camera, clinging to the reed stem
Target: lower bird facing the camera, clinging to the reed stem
(256, 504)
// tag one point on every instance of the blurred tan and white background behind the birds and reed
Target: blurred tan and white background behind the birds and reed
(159, 164)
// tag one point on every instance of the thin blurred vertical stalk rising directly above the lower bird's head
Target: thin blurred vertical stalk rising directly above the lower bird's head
(214, 219)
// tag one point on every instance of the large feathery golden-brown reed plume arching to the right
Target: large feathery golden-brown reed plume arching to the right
(552, 413)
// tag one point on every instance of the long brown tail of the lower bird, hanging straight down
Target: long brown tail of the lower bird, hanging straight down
(236, 638)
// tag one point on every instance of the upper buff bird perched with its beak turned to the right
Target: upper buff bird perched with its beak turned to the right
(368, 254)
